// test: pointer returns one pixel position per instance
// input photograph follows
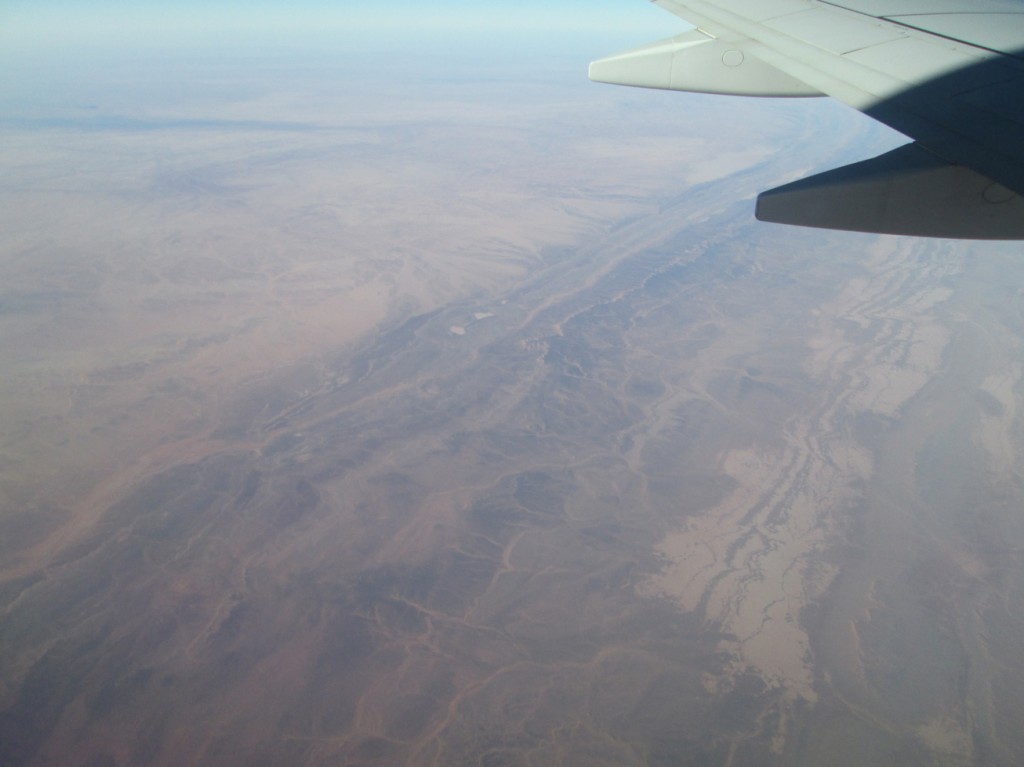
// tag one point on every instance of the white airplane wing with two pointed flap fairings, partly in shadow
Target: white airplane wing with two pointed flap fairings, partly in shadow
(949, 74)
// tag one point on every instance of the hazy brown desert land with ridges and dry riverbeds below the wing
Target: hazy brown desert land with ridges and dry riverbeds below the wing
(472, 420)
